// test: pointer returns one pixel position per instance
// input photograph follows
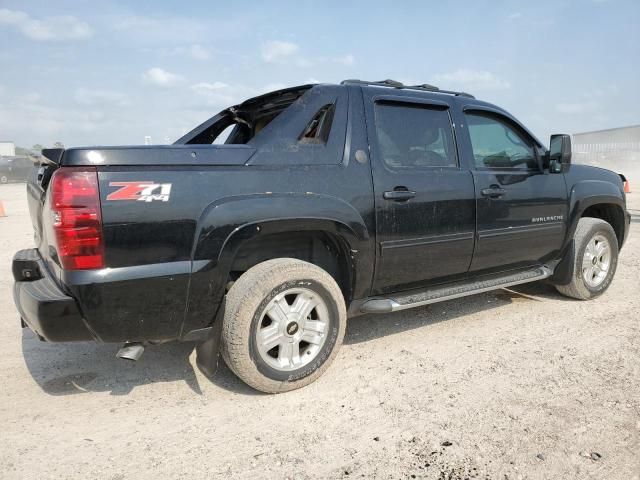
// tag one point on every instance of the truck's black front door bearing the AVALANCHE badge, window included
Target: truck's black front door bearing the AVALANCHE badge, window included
(522, 209)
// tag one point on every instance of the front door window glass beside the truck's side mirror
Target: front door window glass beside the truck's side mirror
(496, 144)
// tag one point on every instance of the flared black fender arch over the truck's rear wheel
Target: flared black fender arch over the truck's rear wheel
(228, 224)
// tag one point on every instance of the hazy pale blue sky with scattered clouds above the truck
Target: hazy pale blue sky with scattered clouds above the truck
(112, 72)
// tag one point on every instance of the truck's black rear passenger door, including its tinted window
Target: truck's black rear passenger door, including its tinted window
(424, 199)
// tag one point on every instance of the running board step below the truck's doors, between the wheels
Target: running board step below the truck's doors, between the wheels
(417, 298)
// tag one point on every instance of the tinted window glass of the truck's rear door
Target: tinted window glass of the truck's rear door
(414, 136)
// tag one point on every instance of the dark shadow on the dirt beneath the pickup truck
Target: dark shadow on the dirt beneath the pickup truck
(84, 367)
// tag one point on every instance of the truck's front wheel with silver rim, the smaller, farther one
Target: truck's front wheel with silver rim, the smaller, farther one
(589, 280)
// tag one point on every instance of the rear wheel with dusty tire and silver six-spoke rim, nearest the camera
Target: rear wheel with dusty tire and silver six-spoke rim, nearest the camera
(269, 303)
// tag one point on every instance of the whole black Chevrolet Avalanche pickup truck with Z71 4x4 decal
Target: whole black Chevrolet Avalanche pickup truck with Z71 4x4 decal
(321, 202)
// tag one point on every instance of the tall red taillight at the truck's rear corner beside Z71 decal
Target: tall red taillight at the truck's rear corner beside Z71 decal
(76, 218)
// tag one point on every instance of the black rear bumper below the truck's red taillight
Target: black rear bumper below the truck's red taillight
(43, 305)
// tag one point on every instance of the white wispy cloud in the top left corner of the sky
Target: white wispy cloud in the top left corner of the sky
(64, 27)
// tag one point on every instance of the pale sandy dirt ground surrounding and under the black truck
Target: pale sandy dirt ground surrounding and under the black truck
(514, 384)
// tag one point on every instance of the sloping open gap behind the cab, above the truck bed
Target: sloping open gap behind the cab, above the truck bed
(239, 124)
